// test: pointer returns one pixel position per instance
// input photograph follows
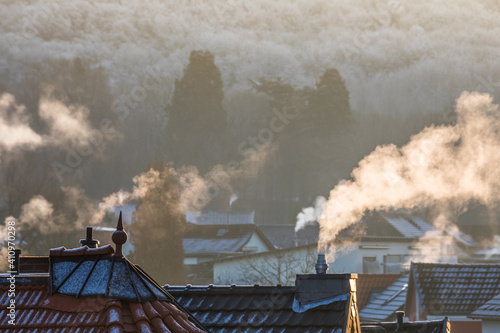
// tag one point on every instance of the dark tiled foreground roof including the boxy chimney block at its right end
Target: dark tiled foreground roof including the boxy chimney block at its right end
(317, 303)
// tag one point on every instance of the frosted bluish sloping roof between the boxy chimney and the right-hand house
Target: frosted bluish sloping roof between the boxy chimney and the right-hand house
(383, 307)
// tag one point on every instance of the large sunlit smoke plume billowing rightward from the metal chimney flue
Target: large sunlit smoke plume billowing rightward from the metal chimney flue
(445, 166)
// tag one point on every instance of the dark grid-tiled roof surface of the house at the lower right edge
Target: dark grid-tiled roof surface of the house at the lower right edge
(454, 289)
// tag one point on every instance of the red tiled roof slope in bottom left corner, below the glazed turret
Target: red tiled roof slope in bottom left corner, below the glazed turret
(37, 311)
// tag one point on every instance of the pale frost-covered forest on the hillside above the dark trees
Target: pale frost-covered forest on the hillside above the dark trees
(422, 55)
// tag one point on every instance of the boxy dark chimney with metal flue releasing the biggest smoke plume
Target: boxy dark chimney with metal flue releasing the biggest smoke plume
(312, 290)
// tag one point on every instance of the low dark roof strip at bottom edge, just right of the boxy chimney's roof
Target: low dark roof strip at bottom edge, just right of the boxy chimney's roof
(430, 326)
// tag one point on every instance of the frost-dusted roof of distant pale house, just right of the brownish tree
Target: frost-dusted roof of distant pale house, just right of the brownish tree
(219, 239)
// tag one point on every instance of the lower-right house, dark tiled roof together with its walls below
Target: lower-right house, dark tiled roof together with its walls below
(453, 290)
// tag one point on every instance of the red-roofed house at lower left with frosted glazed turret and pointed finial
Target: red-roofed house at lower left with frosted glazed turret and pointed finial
(90, 290)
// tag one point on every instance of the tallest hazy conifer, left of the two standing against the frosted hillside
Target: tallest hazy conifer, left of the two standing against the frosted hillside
(197, 126)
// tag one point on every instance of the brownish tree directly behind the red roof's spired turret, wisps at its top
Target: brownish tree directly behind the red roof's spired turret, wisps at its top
(157, 232)
